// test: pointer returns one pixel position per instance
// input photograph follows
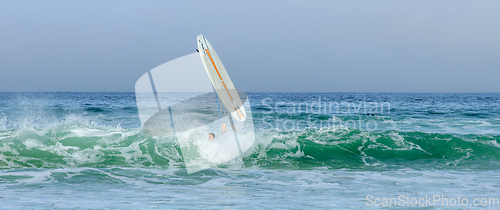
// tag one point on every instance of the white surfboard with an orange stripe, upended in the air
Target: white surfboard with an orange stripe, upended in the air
(220, 79)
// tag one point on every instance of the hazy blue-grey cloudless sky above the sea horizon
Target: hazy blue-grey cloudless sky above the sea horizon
(266, 46)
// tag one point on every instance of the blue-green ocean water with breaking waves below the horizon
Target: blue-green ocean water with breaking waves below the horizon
(312, 151)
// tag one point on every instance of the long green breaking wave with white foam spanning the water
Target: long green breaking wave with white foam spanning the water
(83, 144)
